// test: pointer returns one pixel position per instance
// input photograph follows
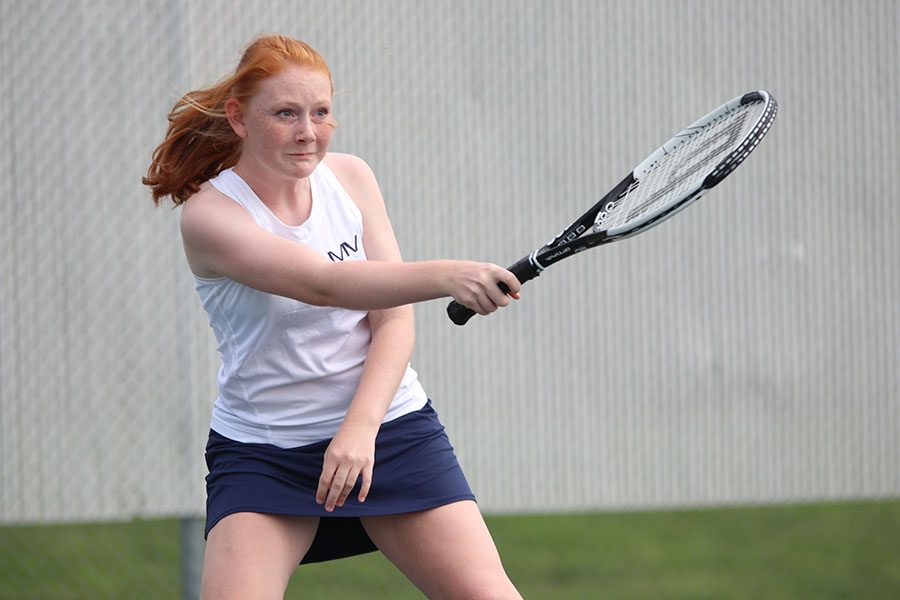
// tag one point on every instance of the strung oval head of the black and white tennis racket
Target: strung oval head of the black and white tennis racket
(695, 160)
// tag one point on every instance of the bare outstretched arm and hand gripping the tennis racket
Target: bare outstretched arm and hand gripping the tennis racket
(221, 239)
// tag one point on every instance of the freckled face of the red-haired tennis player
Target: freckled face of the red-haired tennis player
(287, 124)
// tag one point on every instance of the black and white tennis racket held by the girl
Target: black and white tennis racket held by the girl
(669, 180)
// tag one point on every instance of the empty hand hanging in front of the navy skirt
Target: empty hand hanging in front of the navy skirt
(350, 454)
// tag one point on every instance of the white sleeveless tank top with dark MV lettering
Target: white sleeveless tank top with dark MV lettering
(289, 369)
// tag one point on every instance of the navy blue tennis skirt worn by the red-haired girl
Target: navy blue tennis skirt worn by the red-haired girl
(415, 469)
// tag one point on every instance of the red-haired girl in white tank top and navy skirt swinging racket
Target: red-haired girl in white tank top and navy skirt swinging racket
(323, 443)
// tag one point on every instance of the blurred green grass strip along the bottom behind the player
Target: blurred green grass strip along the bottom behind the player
(811, 551)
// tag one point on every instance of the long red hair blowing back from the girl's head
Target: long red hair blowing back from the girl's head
(200, 142)
